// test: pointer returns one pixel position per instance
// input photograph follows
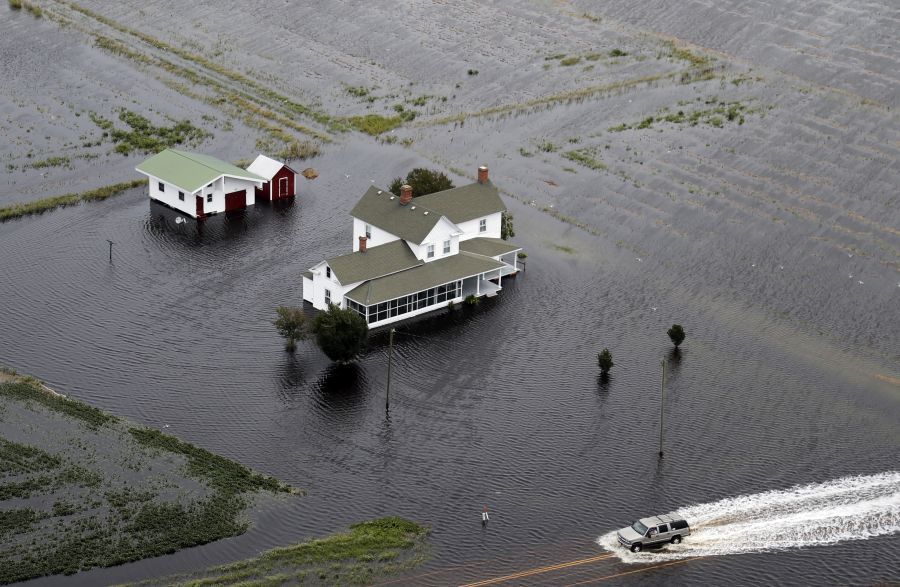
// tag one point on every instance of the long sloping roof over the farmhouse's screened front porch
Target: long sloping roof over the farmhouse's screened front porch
(422, 277)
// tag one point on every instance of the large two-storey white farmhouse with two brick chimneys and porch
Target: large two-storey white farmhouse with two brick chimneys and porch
(416, 256)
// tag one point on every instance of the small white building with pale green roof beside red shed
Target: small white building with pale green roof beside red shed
(199, 185)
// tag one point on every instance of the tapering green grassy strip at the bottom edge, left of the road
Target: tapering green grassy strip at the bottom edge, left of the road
(368, 551)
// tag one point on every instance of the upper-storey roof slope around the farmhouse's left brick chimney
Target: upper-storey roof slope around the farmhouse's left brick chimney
(412, 222)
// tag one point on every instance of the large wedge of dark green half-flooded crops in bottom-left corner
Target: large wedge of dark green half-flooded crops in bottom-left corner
(110, 495)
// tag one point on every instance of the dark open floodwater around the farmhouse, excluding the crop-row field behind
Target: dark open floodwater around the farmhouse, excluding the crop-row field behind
(500, 407)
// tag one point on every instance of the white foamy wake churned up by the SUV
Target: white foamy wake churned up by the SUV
(851, 508)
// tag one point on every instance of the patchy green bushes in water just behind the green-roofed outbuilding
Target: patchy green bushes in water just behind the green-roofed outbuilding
(145, 137)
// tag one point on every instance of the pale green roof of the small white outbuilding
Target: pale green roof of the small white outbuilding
(191, 171)
